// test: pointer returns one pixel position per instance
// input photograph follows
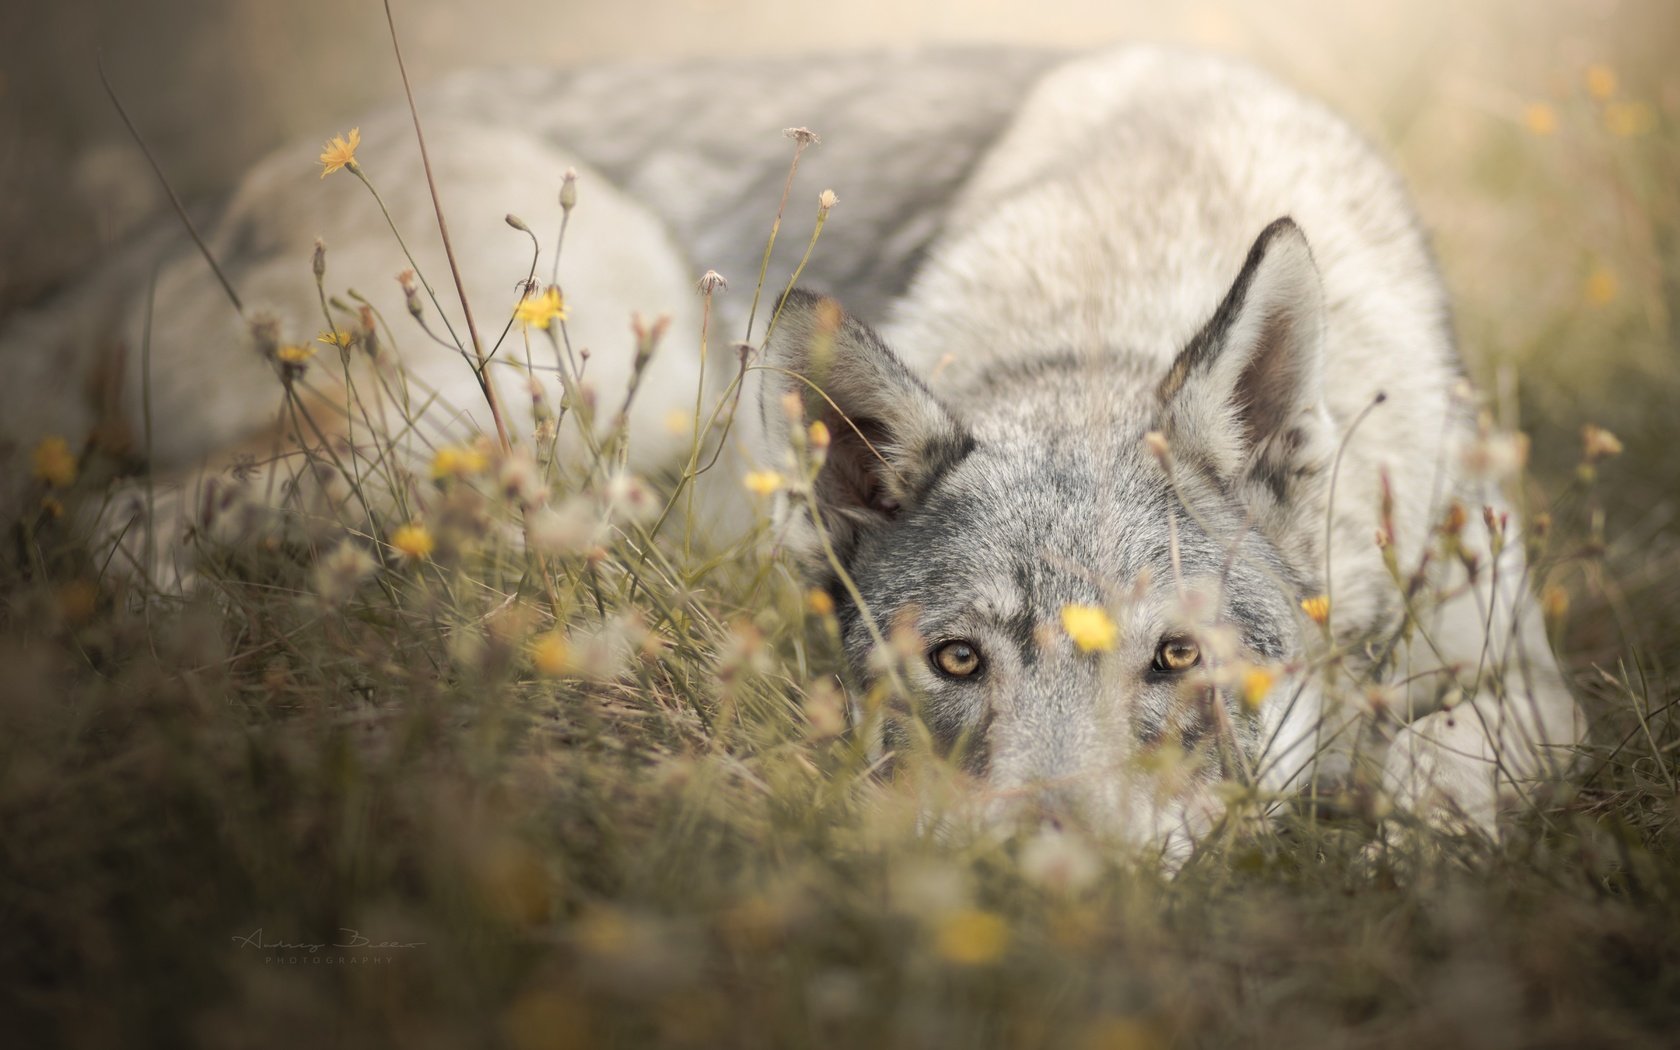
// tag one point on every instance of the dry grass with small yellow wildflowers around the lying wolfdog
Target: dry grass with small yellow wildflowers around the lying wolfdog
(592, 789)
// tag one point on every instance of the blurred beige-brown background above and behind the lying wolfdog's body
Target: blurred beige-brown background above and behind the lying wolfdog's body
(1540, 142)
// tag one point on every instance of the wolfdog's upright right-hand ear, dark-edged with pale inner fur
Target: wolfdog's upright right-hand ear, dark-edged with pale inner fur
(1246, 397)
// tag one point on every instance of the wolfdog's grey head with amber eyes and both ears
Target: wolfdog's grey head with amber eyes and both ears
(1091, 570)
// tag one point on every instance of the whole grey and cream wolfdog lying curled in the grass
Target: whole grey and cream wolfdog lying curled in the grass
(1162, 471)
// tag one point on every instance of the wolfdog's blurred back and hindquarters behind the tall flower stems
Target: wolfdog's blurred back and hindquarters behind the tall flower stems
(683, 171)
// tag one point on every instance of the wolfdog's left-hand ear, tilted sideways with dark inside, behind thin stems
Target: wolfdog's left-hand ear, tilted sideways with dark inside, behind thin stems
(890, 438)
